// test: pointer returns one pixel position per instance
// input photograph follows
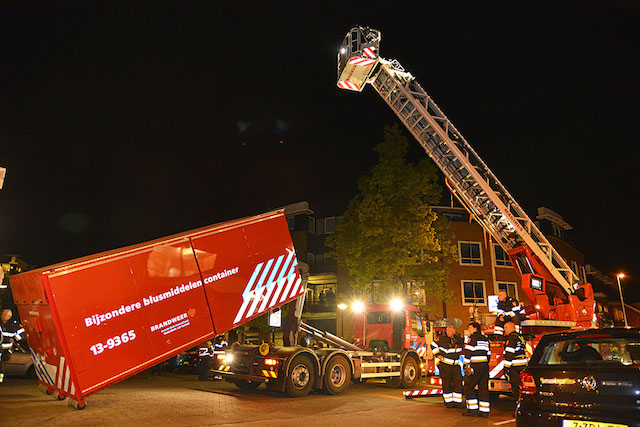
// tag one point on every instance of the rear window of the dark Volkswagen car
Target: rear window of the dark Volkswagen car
(592, 349)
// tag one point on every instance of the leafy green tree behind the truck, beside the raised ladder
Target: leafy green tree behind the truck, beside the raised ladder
(389, 235)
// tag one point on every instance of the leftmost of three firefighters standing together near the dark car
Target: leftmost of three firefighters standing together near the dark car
(447, 350)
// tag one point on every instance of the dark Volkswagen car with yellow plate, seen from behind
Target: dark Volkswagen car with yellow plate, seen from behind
(589, 378)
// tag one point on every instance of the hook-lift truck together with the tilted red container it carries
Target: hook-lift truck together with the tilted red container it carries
(94, 321)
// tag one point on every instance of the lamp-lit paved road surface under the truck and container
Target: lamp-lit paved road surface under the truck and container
(181, 400)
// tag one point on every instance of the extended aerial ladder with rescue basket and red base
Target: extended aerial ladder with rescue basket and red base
(555, 290)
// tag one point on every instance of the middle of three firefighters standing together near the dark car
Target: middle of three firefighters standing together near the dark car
(477, 353)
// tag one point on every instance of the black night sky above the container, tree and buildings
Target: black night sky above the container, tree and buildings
(124, 121)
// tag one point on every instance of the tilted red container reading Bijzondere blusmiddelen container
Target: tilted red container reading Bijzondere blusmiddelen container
(94, 321)
